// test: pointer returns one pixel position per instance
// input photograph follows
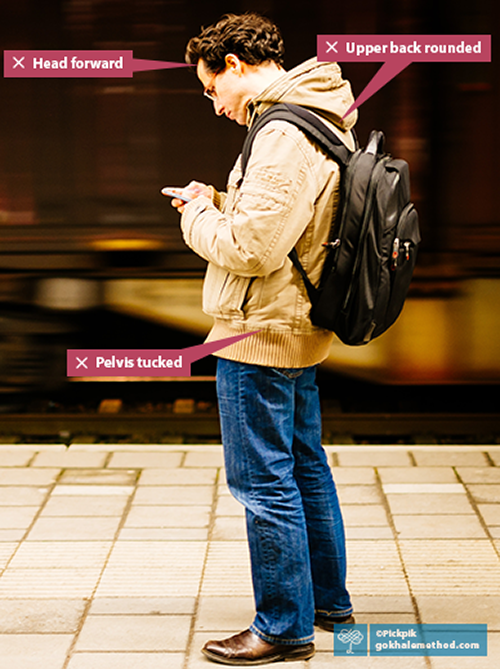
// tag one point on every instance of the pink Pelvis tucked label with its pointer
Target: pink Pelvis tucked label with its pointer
(142, 362)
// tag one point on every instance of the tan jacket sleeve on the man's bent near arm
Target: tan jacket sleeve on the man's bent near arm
(270, 212)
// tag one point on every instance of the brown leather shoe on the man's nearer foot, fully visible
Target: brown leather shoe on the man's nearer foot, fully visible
(246, 648)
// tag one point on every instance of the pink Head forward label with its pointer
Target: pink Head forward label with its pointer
(79, 64)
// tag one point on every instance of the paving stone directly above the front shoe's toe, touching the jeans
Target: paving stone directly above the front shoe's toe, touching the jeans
(224, 613)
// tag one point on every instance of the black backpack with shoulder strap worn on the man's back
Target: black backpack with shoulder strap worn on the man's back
(373, 242)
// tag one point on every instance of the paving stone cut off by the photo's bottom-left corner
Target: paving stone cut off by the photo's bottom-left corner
(34, 651)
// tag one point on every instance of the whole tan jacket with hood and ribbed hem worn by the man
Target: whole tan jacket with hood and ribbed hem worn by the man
(287, 199)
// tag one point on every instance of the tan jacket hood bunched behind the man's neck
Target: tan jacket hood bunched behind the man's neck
(318, 86)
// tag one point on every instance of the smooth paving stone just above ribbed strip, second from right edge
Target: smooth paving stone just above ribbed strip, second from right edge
(438, 526)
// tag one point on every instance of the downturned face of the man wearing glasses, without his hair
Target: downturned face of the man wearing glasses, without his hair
(229, 90)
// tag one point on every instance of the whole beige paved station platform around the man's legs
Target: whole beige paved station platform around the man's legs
(132, 556)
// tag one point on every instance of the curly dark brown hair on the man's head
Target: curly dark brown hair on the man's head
(253, 38)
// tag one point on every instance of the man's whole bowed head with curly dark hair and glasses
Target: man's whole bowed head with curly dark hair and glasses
(236, 59)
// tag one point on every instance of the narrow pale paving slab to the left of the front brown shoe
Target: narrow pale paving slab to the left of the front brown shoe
(143, 605)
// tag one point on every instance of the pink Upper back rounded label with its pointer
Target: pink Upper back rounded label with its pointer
(398, 51)
